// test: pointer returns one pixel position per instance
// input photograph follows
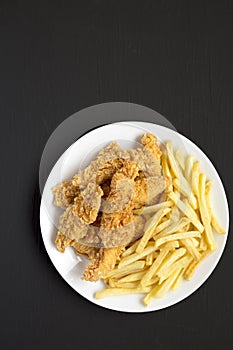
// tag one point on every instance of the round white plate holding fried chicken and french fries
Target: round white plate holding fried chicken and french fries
(80, 153)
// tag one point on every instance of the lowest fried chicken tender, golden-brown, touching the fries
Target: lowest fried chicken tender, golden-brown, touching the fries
(102, 263)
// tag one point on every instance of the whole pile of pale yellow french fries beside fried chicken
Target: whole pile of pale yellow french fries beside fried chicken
(178, 234)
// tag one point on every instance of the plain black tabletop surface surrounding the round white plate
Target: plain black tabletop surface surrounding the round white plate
(57, 57)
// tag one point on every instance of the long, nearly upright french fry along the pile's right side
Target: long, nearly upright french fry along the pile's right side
(204, 213)
